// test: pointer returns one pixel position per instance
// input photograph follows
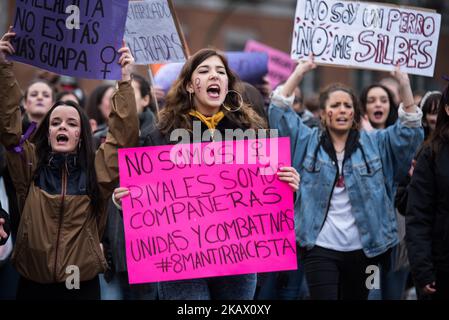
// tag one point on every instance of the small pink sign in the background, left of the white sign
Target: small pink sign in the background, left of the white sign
(280, 64)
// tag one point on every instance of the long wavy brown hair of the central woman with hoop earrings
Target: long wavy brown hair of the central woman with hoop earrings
(175, 113)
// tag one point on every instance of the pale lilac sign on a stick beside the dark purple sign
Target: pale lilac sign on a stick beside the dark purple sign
(151, 33)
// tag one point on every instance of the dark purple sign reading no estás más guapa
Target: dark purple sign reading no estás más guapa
(46, 37)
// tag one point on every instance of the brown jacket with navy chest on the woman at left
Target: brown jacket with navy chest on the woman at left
(58, 224)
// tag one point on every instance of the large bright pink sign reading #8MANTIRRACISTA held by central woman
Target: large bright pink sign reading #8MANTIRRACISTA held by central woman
(207, 209)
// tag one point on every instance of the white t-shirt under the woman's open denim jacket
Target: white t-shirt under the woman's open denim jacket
(339, 231)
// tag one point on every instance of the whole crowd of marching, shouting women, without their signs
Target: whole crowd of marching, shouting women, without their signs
(370, 174)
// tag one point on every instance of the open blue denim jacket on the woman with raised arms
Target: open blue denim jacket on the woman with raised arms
(371, 174)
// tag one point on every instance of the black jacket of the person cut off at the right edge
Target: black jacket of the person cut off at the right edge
(427, 216)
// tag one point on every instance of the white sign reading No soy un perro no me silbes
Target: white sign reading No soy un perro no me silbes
(366, 35)
